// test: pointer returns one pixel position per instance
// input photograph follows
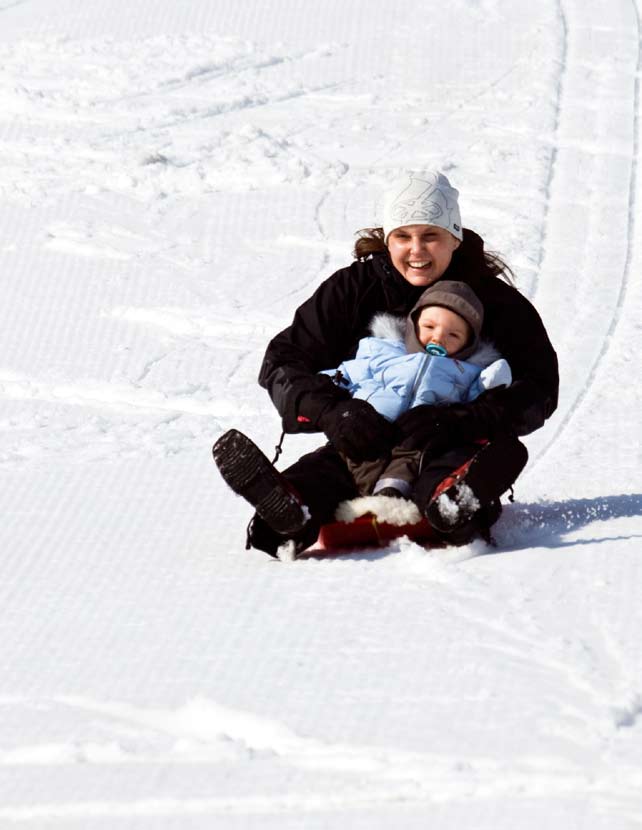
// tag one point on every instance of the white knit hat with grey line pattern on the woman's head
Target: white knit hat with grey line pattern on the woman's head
(422, 199)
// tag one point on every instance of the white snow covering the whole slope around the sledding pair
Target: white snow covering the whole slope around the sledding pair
(175, 178)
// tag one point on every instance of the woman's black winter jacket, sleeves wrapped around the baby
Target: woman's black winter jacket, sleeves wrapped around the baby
(327, 328)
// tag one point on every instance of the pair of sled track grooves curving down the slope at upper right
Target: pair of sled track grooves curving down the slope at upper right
(553, 194)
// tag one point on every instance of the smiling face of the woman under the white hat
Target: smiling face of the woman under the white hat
(421, 253)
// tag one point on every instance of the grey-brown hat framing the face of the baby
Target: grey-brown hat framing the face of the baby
(458, 297)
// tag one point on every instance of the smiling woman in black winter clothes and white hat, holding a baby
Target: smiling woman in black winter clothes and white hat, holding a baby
(470, 452)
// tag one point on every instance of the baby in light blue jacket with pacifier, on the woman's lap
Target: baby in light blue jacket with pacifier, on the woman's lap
(433, 357)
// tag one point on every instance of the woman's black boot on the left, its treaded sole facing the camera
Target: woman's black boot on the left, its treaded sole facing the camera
(249, 473)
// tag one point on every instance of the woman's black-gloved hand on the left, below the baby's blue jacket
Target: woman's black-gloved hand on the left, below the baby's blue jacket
(357, 430)
